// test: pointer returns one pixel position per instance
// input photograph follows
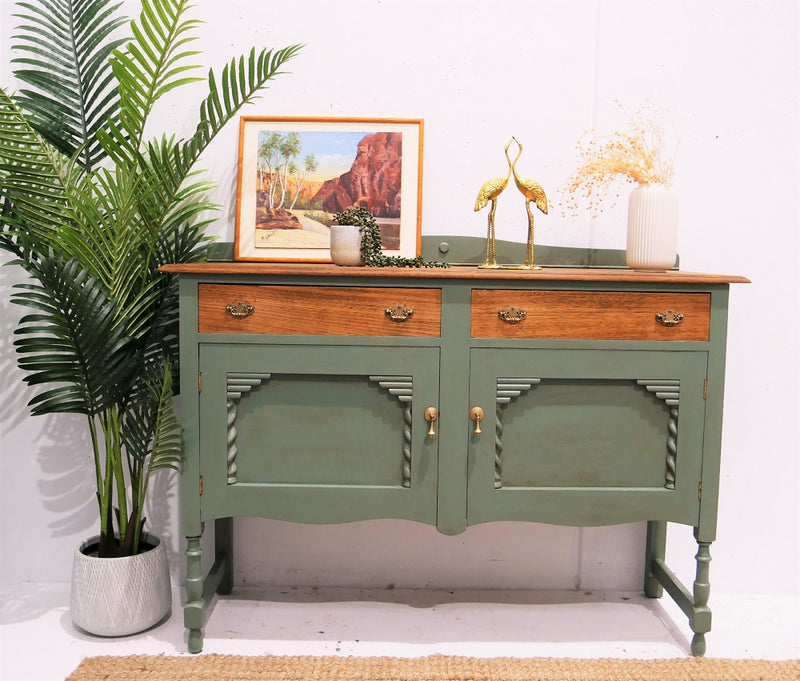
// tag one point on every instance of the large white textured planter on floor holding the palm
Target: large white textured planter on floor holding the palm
(120, 596)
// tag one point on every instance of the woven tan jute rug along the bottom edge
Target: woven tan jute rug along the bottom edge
(435, 668)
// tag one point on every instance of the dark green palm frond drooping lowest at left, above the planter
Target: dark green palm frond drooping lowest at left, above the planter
(72, 339)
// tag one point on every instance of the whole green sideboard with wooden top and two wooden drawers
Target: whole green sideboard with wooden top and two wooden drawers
(575, 396)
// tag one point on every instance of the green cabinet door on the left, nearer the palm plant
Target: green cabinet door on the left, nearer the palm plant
(318, 433)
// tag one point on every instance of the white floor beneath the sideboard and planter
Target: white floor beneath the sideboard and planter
(38, 640)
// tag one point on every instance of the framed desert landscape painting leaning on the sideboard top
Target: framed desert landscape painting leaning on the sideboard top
(295, 174)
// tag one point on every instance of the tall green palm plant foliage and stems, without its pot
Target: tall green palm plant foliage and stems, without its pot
(91, 208)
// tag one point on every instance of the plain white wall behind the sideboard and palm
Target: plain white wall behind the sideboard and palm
(543, 70)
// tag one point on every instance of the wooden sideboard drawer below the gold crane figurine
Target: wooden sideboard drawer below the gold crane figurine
(594, 315)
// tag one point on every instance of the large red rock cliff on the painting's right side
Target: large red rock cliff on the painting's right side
(373, 181)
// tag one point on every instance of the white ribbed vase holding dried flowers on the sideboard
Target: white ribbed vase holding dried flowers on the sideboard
(652, 227)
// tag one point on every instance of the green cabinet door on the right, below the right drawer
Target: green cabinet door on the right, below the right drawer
(586, 437)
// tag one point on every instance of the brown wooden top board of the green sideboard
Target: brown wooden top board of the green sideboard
(455, 272)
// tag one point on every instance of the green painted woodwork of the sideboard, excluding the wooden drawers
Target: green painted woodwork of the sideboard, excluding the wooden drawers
(321, 441)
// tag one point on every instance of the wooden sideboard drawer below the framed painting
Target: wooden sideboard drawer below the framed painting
(319, 310)
